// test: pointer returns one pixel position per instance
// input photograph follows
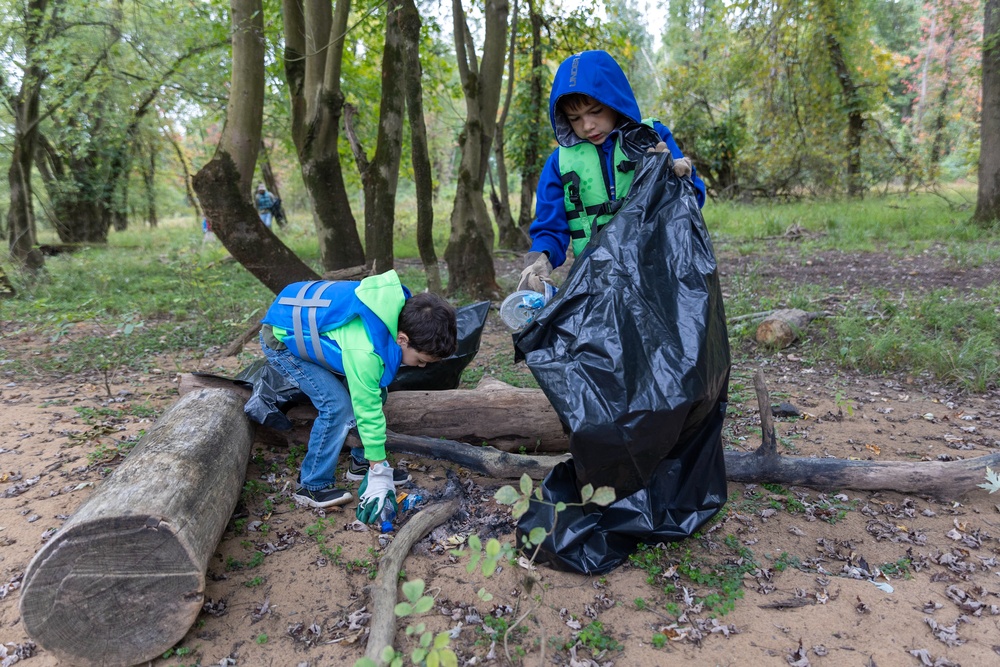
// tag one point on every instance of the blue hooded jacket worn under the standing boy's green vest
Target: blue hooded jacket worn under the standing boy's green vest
(598, 75)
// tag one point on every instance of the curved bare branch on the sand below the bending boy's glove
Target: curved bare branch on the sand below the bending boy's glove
(382, 630)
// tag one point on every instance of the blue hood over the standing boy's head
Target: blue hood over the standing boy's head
(593, 73)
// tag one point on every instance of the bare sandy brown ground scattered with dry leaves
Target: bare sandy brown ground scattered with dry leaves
(848, 578)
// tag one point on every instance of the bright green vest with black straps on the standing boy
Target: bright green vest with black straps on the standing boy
(586, 197)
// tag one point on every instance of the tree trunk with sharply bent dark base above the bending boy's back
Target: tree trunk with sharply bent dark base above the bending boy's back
(223, 185)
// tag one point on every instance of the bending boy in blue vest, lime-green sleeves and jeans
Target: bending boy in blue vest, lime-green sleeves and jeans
(342, 343)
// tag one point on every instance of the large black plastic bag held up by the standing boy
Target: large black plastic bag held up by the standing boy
(633, 354)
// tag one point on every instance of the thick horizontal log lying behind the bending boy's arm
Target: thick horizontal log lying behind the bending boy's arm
(508, 418)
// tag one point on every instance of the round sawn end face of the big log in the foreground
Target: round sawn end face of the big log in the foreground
(89, 592)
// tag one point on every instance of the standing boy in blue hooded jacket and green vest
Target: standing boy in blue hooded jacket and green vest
(583, 178)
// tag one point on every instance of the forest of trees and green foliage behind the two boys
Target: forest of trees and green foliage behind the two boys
(393, 135)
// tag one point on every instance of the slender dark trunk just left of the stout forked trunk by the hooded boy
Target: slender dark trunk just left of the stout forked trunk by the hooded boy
(420, 154)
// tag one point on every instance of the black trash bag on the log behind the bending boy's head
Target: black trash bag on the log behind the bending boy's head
(447, 373)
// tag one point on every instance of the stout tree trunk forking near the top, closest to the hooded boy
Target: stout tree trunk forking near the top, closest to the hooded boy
(470, 247)
